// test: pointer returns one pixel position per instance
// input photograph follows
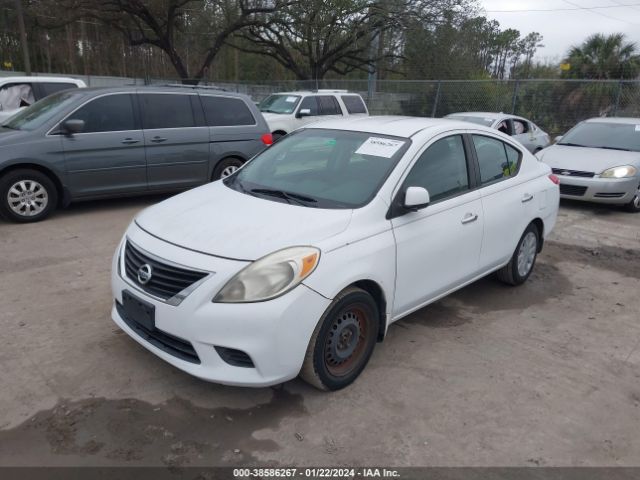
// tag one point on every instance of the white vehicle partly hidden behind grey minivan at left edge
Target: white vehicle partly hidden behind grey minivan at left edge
(20, 92)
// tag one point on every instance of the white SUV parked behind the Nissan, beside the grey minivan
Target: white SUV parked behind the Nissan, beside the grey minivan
(288, 111)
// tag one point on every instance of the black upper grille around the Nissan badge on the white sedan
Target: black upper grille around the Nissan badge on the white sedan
(166, 280)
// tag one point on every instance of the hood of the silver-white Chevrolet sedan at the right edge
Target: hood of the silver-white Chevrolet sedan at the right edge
(587, 159)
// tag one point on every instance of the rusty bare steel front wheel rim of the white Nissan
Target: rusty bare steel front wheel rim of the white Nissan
(346, 341)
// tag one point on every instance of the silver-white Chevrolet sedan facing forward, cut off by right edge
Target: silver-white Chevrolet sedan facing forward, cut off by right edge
(599, 161)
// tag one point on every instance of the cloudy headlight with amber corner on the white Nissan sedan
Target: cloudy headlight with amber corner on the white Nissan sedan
(271, 276)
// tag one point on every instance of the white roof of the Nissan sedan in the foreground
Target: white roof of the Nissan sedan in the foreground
(396, 126)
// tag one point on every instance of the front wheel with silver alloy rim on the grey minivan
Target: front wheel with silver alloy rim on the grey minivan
(44, 193)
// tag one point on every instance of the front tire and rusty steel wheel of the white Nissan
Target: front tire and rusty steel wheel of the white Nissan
(329, 363)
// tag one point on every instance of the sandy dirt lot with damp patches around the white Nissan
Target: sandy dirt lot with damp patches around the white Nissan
(545, 374)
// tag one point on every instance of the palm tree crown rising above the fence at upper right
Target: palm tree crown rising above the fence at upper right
(604, 57)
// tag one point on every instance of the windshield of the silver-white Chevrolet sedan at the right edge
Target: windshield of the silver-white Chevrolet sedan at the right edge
(615, 136)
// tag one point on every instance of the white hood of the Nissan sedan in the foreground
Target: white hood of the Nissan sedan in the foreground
(218, 220)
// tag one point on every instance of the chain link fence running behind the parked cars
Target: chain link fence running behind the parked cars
(555, 105)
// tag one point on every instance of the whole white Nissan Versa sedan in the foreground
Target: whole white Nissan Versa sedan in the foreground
(300, 261)
